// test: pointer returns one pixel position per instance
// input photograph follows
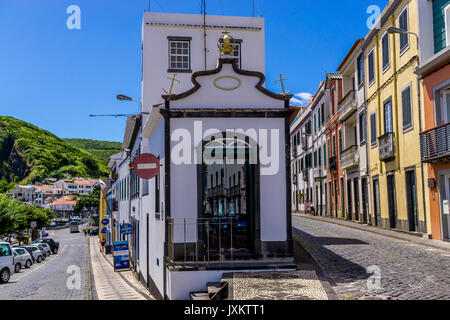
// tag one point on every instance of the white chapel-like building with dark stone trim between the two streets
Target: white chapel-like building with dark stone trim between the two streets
(203, 215)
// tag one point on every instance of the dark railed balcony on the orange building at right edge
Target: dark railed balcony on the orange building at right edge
(435, 145)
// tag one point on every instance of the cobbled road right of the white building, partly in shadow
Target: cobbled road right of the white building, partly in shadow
(407, 271)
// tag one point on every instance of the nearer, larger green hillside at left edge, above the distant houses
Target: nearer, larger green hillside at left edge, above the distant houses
(30, 154)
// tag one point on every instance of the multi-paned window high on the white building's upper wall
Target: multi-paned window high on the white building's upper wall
(179, 54)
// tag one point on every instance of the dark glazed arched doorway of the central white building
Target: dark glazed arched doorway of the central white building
(229, 172)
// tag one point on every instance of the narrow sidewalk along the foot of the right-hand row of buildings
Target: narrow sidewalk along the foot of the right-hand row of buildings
(399, 235)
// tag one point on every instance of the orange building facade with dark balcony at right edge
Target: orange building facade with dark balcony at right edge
(435, 143)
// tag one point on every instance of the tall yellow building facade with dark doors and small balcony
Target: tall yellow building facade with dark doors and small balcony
(395, 120)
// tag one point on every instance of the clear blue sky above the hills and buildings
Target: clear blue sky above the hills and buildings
(54, 77)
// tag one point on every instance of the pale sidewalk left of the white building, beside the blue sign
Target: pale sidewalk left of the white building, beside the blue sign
(110, 285)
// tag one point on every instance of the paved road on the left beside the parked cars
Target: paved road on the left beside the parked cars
(48, 280)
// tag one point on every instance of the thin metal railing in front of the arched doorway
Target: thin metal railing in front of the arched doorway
(200, 241)
